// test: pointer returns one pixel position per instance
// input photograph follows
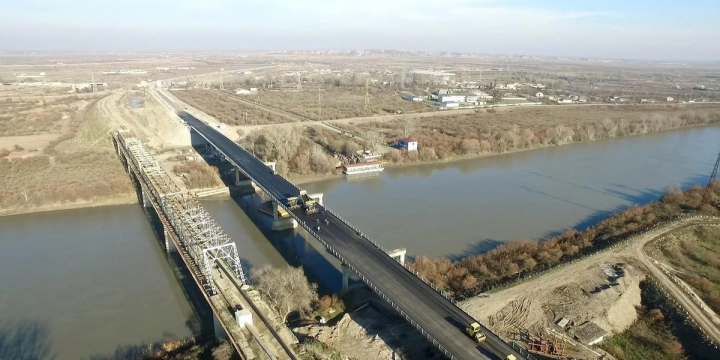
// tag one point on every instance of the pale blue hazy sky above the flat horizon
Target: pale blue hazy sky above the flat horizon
(629, 29)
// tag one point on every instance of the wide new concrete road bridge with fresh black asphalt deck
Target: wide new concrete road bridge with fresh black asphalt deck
(429, 310)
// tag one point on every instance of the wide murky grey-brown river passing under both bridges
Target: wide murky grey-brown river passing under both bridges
(91, 280)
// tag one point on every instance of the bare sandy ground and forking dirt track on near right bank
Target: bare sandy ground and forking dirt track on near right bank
(537, 303)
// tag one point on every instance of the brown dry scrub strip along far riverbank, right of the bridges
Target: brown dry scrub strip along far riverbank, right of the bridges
(502, 130)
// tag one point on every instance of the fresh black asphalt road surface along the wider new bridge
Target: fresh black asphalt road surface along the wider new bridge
(444, 321)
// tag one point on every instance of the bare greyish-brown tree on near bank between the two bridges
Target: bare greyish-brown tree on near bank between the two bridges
(285, 289)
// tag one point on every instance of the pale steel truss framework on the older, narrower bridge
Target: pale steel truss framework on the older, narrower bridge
(200, 236)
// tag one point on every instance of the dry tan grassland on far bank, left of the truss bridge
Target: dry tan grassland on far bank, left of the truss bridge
(81, 165)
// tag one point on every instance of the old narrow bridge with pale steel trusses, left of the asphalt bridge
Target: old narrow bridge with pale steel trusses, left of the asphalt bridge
(206, 250)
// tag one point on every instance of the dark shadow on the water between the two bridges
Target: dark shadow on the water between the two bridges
(296, 247)
